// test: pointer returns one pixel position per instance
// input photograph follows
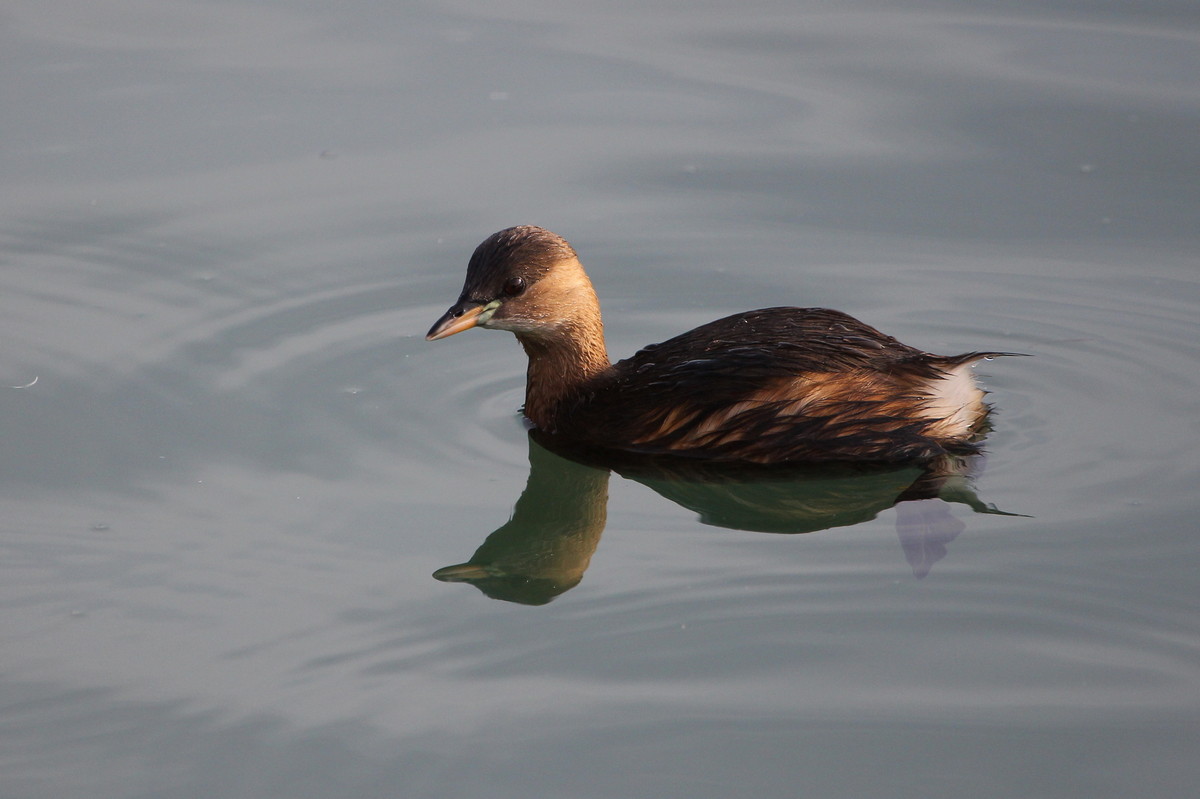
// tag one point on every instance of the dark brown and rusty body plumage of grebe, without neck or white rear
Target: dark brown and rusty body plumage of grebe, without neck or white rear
(778, 385)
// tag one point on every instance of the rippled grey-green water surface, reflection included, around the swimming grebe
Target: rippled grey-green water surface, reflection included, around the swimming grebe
(231, 464)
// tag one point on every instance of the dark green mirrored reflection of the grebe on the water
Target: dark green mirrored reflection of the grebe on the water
(547, 546)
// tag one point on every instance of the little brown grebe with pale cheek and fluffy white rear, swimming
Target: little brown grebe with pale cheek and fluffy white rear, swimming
(776, 386)
